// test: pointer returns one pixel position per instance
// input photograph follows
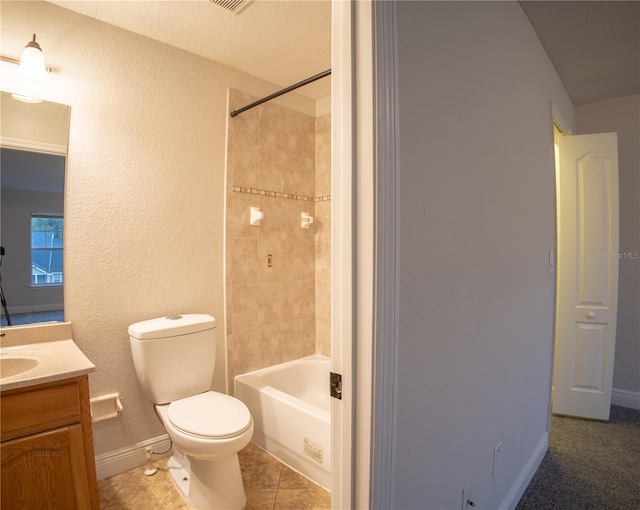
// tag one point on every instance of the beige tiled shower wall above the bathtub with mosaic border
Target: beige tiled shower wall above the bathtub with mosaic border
(277, 160)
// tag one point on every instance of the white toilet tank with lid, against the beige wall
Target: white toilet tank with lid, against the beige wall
(174, 356)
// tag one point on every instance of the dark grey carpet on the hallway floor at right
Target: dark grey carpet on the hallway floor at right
(590, 465)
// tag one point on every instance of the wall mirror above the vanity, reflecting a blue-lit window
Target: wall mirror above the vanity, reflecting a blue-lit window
(33, 152)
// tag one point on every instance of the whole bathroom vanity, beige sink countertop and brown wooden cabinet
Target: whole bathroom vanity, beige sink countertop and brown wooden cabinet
(47, 442)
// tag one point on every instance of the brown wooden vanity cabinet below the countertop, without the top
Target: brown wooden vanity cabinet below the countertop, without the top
(47, 447)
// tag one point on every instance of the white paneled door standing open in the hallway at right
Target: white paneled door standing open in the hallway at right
(587, 278)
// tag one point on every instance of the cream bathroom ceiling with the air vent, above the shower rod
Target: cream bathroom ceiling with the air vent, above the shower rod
(282, 42)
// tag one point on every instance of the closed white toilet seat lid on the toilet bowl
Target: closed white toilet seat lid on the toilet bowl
(210, 415)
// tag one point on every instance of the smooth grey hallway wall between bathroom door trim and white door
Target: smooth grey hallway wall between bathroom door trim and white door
(477, 201)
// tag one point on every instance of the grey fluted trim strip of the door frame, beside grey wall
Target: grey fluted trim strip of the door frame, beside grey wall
(385, 301)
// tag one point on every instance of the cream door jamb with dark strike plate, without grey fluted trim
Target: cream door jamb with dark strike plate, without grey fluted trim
(352, 245)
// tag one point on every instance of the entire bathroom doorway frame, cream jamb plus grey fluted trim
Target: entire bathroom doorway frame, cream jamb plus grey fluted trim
(360, 271)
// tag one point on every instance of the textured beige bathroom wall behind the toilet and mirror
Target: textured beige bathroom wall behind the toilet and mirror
(144, 193)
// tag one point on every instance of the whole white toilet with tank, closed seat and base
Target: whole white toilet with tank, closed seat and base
(174, 359)
